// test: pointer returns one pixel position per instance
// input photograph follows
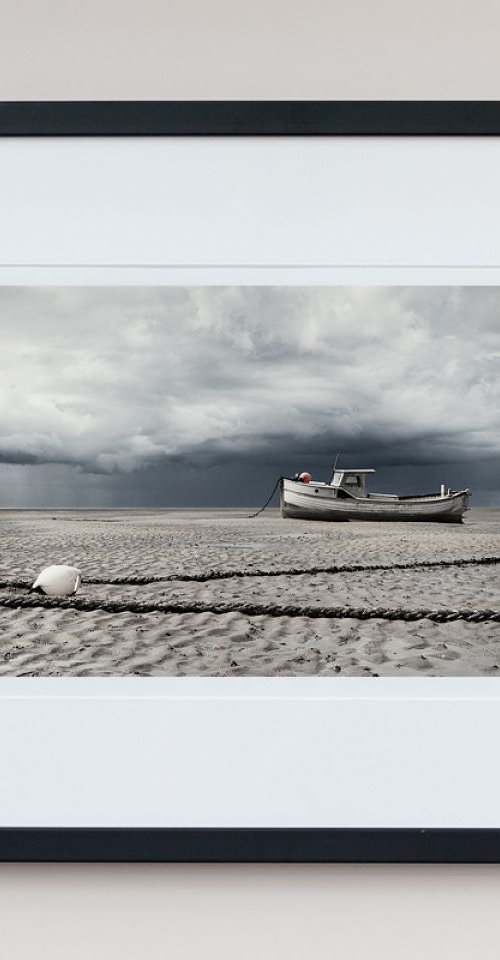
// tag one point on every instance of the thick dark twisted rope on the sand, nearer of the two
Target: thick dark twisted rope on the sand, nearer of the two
(85, 605)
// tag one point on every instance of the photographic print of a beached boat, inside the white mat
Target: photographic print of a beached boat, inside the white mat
(271, 481)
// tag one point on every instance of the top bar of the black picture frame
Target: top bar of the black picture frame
(299, 118)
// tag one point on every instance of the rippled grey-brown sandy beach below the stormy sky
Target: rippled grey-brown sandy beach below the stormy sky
(144, 543)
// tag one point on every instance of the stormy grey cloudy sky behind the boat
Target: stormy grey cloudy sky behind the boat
(202, 396)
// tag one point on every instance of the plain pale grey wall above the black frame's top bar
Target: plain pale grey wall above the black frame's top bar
(249, 49)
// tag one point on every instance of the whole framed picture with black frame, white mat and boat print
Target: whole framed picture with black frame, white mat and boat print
(249, 481)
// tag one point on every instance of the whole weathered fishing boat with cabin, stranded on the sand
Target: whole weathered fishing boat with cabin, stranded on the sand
(346, 497)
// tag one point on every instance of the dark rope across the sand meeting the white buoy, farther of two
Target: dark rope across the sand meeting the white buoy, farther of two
(140, 581)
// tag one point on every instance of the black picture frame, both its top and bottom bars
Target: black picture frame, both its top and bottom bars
(256, 119)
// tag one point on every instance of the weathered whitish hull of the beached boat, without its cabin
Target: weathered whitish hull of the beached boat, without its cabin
(309, 502)
